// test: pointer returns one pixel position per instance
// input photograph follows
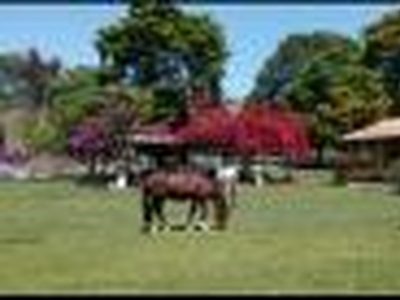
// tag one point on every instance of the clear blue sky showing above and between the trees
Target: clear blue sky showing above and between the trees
(253, 31)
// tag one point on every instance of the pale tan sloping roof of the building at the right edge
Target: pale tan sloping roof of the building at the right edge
(385, 129)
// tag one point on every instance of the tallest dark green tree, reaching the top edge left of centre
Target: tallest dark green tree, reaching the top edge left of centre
(161, 47)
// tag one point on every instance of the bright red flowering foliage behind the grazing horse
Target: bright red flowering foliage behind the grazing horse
(255, 129)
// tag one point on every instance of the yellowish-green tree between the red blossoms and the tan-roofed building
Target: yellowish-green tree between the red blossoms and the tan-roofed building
(337, 98)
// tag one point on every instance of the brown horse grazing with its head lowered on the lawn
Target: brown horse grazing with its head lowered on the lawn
(182, 185)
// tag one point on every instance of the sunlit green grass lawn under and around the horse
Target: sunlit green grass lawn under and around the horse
(300, 238)
